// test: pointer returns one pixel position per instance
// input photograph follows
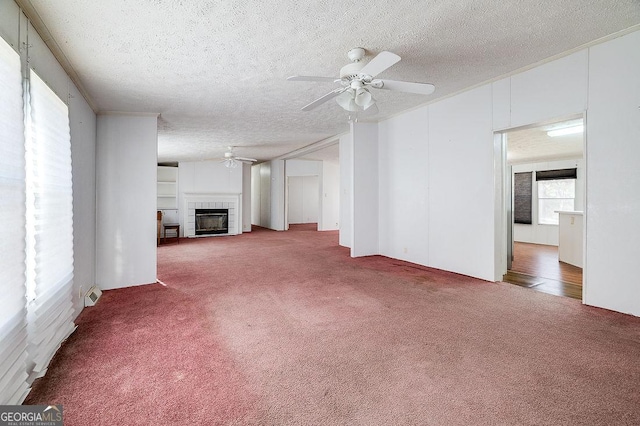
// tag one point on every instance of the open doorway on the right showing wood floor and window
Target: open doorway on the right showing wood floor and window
(545, 199)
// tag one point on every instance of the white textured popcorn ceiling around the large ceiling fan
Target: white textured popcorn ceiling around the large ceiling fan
(216, 71)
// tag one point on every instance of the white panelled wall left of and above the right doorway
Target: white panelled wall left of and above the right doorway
(437, 166)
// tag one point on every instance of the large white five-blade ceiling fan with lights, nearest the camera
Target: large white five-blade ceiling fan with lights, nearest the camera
(356, 78)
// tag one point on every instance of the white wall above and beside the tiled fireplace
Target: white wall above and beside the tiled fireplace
(206, 177)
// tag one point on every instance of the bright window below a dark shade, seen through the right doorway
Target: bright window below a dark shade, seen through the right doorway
(554, 195)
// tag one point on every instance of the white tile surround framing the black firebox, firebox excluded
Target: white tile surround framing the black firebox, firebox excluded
(203, 200)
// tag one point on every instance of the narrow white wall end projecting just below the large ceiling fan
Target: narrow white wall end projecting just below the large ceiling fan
(364, 201)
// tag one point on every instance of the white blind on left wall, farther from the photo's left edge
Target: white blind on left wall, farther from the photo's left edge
(49, 225)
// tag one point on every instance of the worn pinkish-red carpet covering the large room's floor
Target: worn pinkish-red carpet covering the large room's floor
(283, 328)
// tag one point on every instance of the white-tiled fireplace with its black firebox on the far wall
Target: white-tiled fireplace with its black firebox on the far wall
(196, 204)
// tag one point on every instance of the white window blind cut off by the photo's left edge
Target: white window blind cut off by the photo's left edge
(13, 327)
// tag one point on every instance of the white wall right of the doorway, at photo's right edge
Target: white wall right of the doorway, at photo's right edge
(613, 176)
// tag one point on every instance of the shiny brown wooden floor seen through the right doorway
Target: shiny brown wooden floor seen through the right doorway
(537, 267)
